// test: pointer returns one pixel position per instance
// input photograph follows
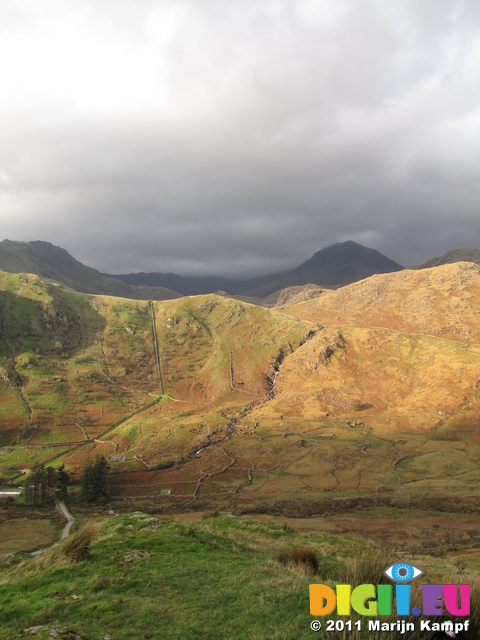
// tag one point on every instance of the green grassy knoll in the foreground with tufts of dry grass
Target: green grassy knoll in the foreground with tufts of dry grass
(149, 577)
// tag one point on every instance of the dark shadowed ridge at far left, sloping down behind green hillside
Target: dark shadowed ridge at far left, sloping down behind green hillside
(48, 261)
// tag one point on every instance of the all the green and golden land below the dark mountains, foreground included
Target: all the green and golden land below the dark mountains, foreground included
(345, 420)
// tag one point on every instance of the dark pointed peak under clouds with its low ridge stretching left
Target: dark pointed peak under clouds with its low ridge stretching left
(332, 267)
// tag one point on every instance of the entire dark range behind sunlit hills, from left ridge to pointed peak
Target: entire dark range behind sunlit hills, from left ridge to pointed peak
(332, 267)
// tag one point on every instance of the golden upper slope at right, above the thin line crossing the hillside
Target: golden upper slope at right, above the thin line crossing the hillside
(440, 301)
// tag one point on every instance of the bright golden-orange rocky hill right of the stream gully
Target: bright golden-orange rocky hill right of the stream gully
(396, 348)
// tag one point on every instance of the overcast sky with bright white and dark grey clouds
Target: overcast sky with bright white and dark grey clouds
(238, 137)
